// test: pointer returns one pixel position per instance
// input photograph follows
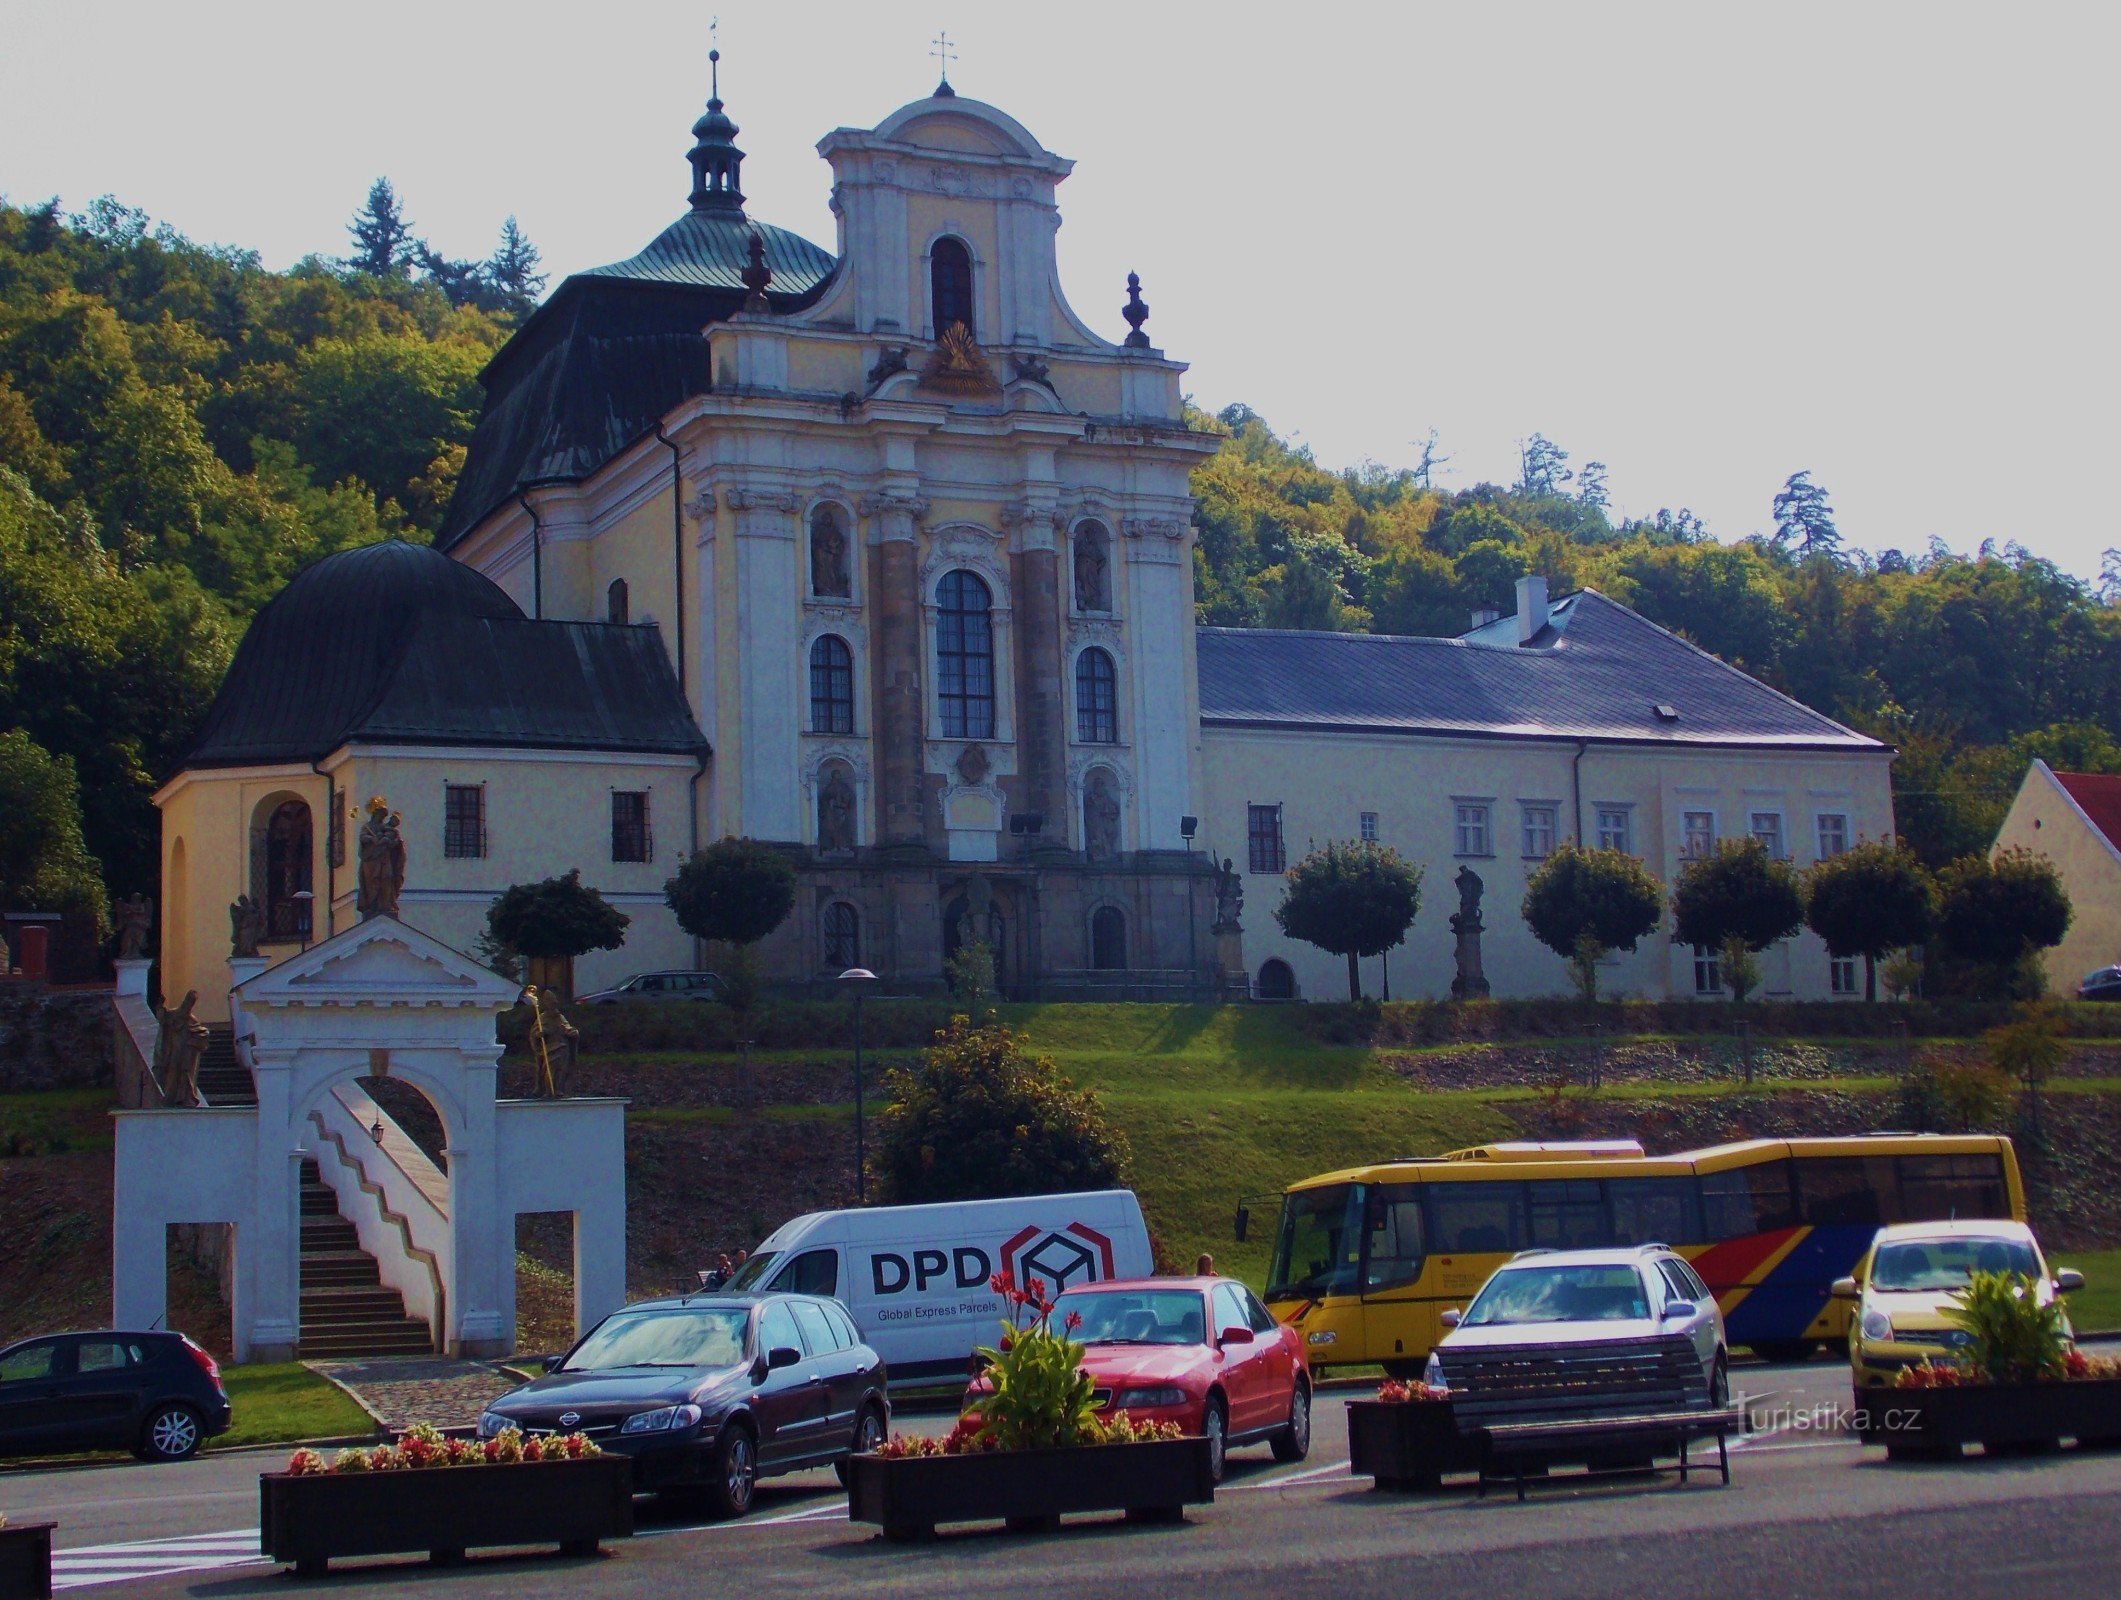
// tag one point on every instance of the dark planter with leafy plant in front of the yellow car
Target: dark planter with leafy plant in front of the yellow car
(2016, 1385)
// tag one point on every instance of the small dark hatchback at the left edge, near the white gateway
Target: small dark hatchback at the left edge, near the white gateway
(156, 1395)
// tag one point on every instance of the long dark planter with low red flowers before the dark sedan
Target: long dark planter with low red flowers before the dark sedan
(444, 1497)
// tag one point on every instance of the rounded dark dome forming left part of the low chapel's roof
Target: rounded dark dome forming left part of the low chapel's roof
(323, 653)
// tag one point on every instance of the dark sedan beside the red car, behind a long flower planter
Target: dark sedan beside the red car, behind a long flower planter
(714, 1393)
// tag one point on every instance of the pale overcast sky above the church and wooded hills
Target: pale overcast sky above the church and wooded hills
(1706, 245)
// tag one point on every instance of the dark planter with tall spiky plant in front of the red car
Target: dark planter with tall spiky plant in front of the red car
(1032, 1448)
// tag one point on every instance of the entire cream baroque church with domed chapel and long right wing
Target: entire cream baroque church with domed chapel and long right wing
(886, 555)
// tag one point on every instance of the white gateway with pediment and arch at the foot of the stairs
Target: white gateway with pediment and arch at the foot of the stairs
(376, 1001)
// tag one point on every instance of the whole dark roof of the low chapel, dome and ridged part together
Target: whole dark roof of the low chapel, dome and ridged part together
(396, 644)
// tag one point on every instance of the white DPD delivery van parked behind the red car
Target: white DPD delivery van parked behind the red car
(917, 1279)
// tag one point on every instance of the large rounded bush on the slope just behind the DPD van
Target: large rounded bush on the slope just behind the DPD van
(987, 1119)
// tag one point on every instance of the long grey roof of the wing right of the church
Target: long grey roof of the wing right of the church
(1598, 674)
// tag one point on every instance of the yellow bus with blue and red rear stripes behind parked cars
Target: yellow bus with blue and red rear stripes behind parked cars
(1369, 1259)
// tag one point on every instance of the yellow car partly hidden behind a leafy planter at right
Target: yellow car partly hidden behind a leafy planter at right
(1906, 1283)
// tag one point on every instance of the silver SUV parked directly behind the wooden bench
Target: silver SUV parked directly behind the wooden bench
(1636, 1323)
